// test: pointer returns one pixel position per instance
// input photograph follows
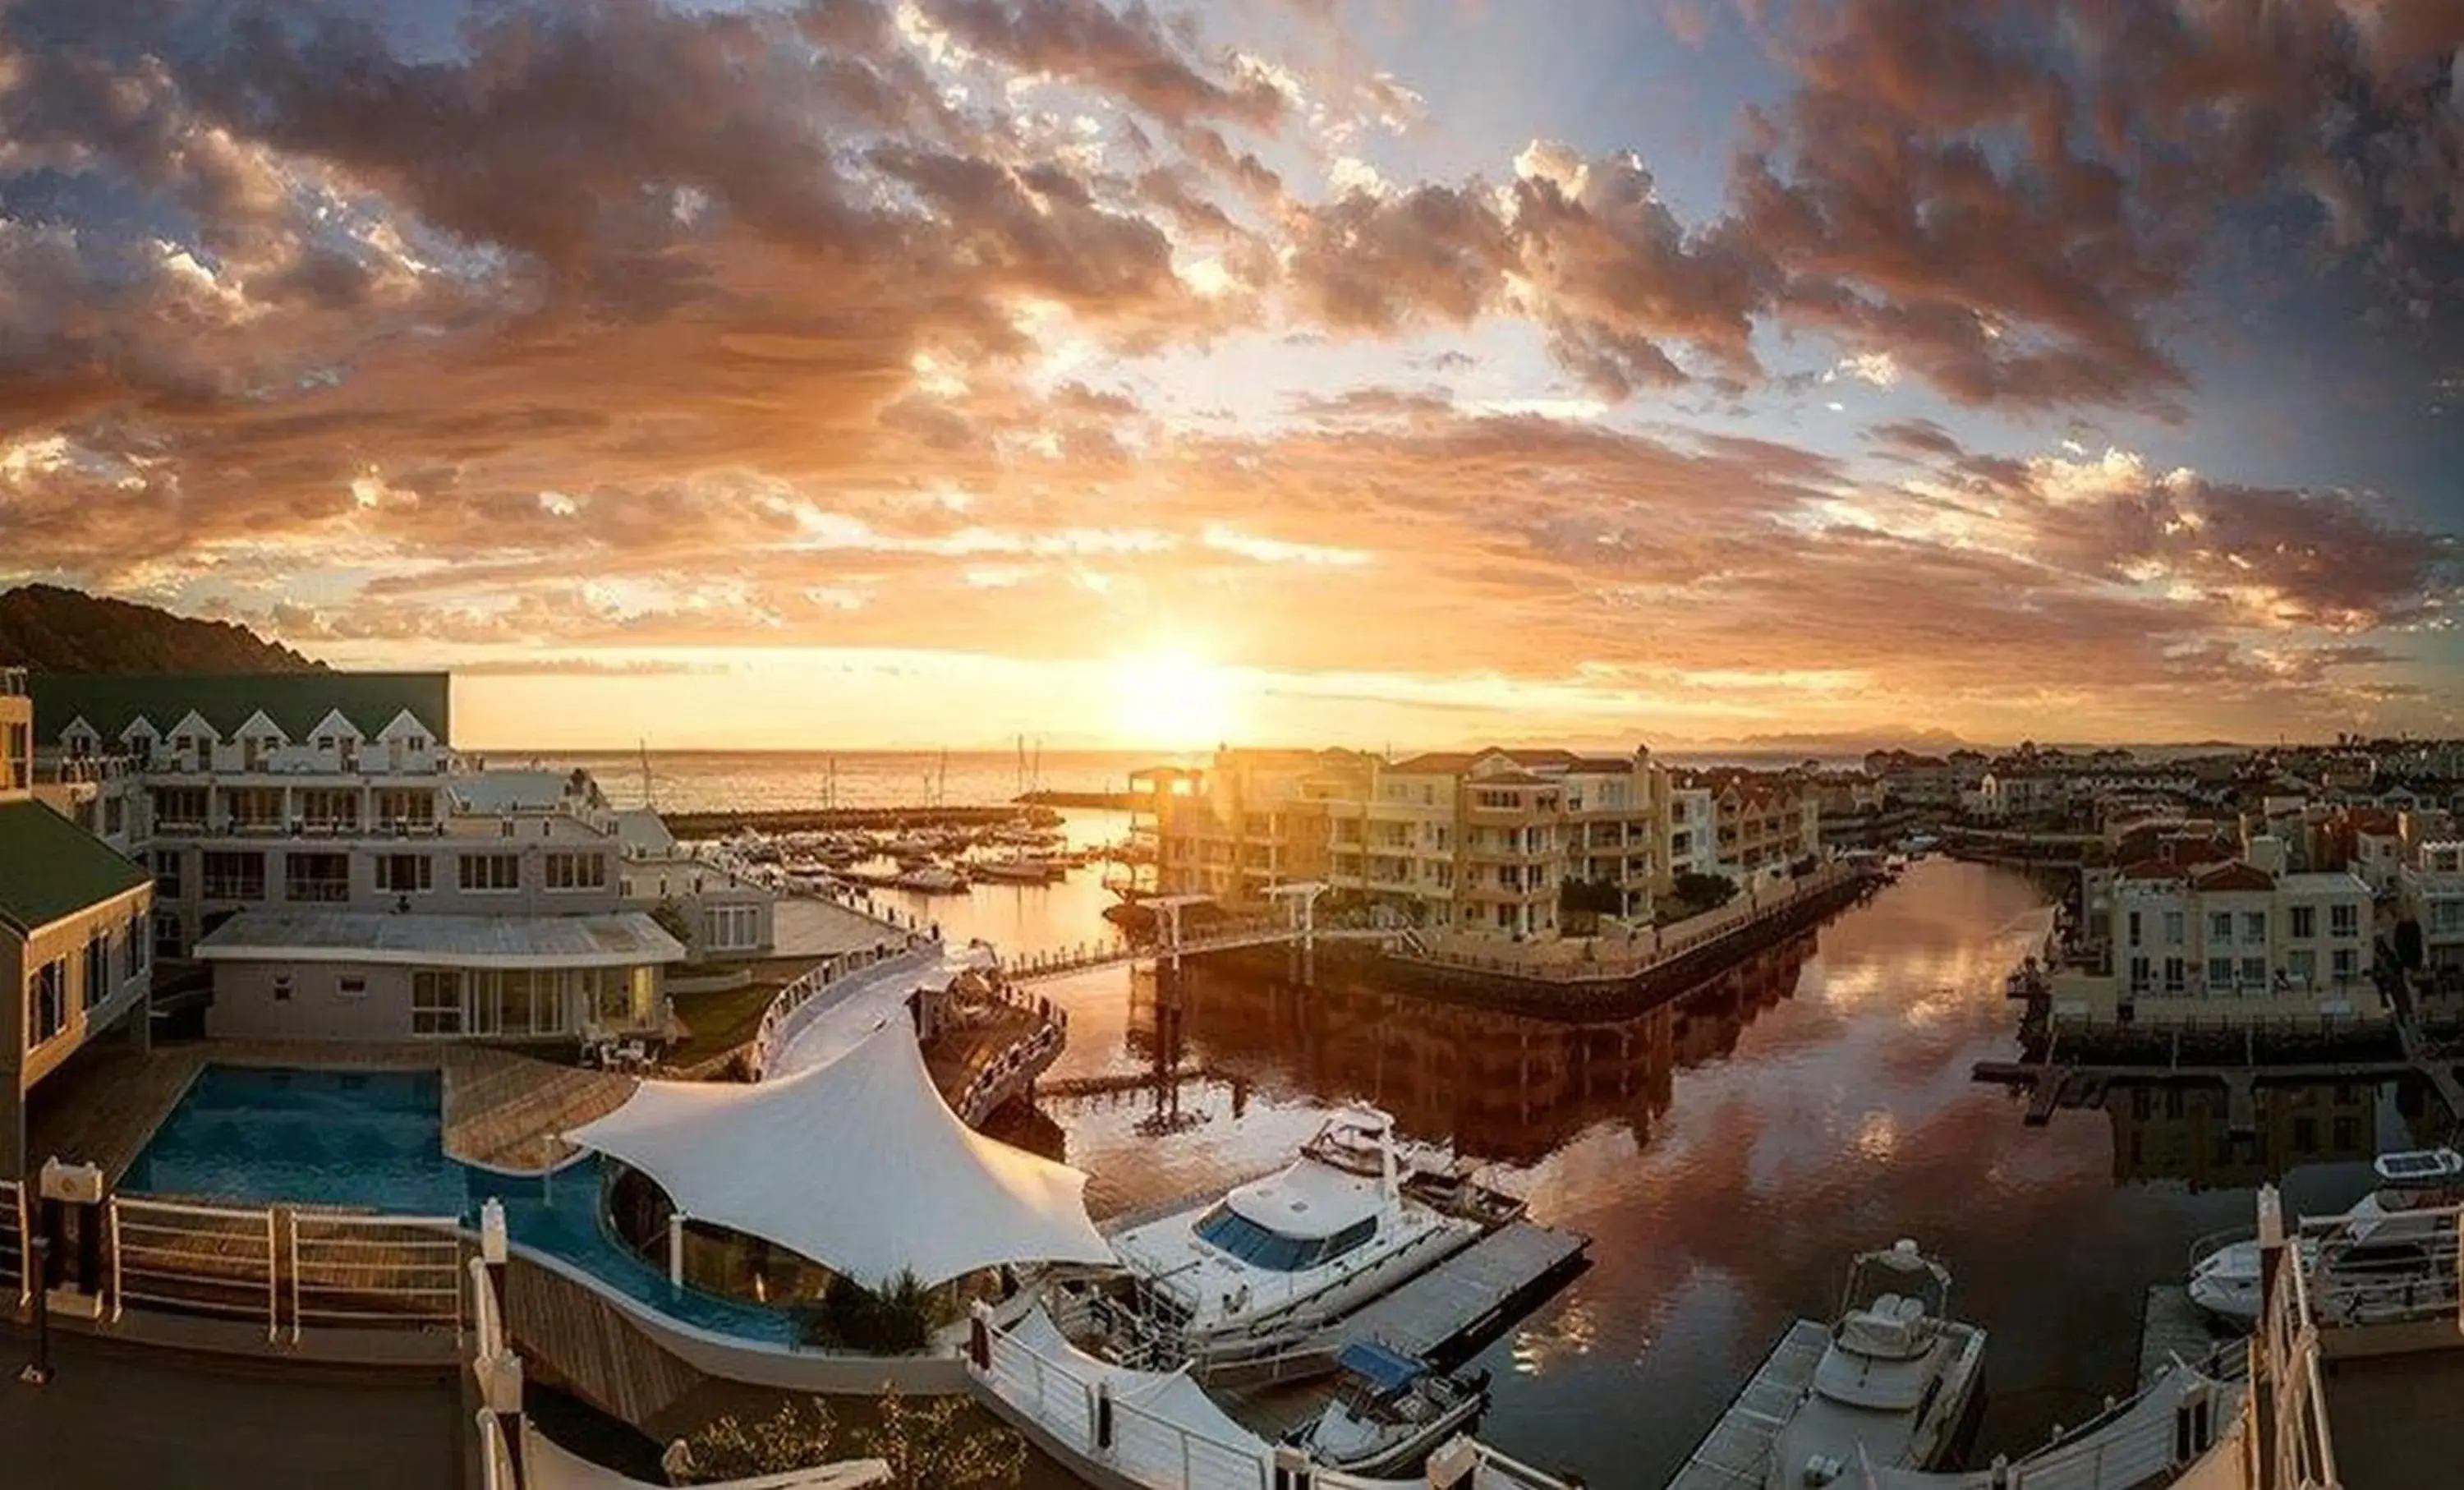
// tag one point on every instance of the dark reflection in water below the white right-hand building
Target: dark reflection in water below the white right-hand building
(2182, 1132)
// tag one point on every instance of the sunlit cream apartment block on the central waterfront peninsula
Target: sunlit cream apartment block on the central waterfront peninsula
(1467, 841)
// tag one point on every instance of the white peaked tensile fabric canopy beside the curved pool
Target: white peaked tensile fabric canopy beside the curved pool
(859, 1166)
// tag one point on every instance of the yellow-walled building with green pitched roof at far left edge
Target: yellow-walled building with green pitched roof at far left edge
(73, 932)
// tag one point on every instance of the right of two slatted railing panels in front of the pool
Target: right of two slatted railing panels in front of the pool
(359, 1272)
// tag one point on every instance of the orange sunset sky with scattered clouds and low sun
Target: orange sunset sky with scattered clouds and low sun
(1285, 371)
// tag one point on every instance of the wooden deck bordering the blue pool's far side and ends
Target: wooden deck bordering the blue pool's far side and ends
(501, 1109)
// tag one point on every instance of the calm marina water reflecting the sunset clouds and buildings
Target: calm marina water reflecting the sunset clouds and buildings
(1726, 1151)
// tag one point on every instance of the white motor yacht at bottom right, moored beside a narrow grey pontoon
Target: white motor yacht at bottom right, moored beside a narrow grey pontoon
(1894, 1385)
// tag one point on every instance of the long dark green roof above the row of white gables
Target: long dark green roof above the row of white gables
(294, 701)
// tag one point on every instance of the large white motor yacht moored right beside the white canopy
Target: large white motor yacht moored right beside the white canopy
(1285, 1257)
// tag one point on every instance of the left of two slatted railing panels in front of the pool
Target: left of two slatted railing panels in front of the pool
(196, 1257)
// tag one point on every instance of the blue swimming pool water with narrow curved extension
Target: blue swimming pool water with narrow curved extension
(376, 1139)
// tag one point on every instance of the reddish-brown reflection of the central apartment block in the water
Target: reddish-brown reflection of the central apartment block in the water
(1502, 1087)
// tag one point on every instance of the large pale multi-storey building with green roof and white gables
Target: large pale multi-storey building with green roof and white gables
(317, 844)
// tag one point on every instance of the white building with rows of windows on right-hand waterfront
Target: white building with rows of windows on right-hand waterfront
(2234, 940)
